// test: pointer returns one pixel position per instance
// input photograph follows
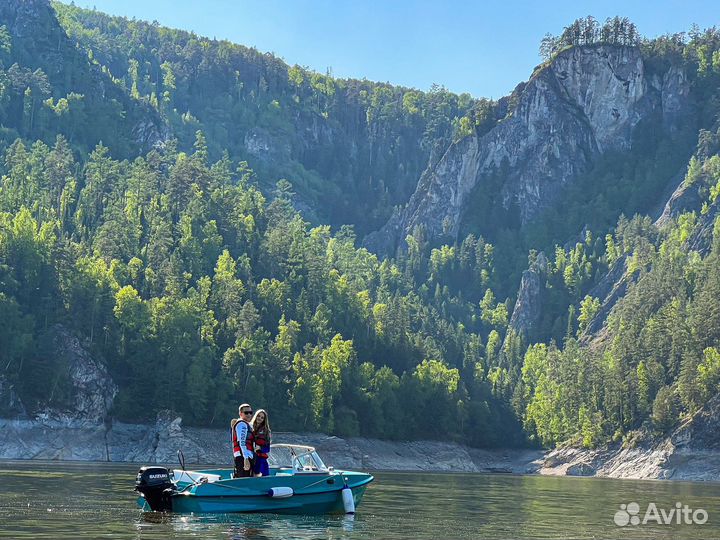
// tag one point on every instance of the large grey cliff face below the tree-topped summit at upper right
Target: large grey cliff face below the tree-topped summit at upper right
(586, 102)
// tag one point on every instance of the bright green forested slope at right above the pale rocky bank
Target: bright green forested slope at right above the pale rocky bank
(656, 358)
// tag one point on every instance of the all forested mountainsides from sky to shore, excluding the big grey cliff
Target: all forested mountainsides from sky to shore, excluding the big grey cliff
(189, 208)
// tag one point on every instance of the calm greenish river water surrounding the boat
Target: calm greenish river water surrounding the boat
(90, 500)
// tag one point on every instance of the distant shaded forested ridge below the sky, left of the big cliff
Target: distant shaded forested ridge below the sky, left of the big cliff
(352, 148)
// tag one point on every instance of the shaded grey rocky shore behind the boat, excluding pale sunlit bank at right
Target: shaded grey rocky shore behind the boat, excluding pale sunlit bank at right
(61, 439)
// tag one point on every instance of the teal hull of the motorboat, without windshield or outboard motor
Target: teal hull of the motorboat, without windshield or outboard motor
(313, 493)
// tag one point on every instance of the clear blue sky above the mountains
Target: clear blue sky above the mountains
(484, 48)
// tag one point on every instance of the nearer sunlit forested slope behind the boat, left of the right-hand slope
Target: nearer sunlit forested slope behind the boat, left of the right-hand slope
(199, 292)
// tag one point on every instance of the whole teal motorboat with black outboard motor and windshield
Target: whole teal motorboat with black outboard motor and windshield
(299, 482)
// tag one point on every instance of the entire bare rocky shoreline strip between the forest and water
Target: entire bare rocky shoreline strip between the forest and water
(689, 453)
